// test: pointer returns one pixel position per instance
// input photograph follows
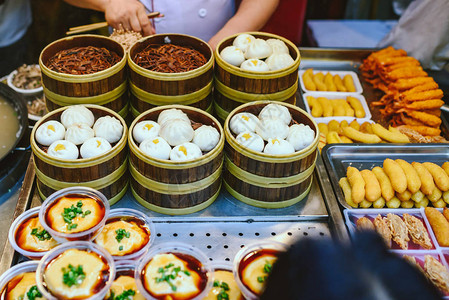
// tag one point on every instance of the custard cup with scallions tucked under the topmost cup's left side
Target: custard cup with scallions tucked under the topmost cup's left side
(26, 233)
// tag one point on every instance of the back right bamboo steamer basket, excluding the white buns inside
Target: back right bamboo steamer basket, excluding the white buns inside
(234, 86)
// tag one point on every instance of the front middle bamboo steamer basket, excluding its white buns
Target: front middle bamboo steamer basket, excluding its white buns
(171, 187)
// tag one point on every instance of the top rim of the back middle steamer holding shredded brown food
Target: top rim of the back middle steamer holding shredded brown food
(171, 76)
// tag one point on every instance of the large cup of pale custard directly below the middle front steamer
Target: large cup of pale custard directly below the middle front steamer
(168, 268)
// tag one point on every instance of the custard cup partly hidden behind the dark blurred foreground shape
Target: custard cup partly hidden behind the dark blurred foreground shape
(267, 250)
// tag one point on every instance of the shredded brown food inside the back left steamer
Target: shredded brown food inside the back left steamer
(82, 60)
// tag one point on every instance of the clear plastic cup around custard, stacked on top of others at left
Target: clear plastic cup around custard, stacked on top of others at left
(86, 235)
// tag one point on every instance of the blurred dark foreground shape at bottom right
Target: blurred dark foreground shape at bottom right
(365, 270)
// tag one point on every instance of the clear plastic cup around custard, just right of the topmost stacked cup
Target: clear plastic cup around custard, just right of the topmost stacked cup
(134, 214)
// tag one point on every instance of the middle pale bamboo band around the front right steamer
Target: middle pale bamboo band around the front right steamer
(267, 182)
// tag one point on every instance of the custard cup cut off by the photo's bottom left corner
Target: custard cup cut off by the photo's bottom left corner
(20, 276)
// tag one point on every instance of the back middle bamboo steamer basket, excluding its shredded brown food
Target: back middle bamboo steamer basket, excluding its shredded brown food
(149, 89)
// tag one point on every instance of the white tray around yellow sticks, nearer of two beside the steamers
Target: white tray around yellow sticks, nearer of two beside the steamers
(335, 95)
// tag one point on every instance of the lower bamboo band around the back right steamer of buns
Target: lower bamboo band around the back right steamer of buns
(249, 97)
